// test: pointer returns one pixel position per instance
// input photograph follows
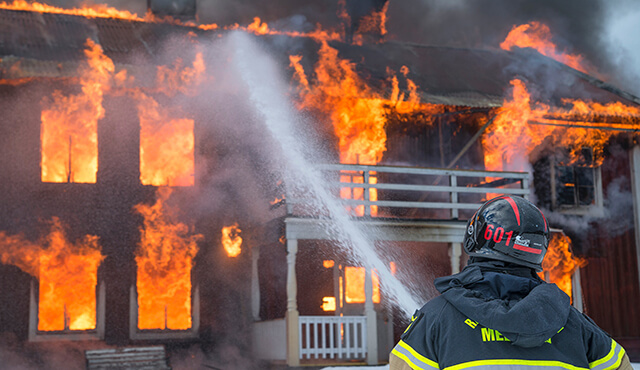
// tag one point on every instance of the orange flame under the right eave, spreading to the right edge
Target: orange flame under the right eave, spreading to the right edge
(521, 125)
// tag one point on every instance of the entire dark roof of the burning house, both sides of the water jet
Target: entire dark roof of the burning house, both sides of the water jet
(51, 45)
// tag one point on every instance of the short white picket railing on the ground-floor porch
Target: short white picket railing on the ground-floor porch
(333, 337)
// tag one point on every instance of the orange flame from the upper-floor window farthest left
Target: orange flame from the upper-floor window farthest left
(69, 130)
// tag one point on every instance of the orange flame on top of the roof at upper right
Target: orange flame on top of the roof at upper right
(538, 36)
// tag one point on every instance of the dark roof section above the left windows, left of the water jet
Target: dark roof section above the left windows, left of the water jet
(36, 44)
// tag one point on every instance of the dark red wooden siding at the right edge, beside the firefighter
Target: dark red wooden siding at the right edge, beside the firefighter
(610, 280)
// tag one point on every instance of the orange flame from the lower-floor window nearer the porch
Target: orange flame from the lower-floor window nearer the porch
(165, 259)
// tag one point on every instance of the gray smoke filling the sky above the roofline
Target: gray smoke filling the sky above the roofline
(604, 32)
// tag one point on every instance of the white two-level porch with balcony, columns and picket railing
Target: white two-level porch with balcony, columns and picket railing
(404, 204)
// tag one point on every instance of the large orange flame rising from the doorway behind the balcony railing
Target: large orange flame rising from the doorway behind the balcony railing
(357, 112)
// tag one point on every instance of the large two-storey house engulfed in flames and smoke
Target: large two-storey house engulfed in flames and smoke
(125, 222)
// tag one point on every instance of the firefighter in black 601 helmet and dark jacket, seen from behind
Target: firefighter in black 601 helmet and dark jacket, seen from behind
(497, 313)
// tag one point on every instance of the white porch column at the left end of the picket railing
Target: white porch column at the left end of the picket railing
(292, 315)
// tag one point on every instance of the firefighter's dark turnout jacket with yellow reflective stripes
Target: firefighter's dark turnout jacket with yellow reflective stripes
(498, 316)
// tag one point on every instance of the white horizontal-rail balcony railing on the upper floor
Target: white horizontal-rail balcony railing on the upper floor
(414, 187)
